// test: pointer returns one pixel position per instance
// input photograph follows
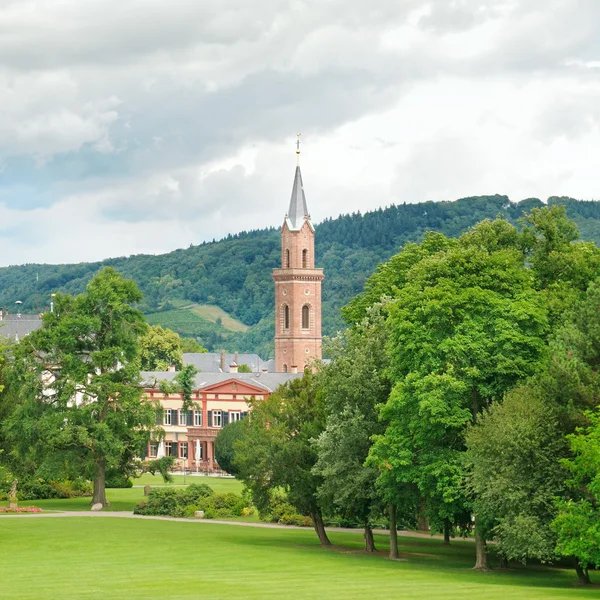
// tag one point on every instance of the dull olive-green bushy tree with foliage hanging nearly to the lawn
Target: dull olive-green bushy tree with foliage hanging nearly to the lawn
(514, 453)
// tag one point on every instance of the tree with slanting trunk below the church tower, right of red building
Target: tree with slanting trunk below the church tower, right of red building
(277, 449)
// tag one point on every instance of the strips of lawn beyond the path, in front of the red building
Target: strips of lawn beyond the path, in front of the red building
(125, 499)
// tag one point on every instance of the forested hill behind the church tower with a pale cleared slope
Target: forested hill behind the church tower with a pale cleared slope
(235, 273)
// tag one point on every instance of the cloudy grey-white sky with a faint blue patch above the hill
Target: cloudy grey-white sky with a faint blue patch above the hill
(131, 126)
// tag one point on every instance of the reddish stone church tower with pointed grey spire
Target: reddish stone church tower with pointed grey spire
(297, 287)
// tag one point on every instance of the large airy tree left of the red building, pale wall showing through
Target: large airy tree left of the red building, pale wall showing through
(75, 384)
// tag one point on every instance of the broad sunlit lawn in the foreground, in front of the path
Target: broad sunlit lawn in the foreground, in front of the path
(126, 558)
